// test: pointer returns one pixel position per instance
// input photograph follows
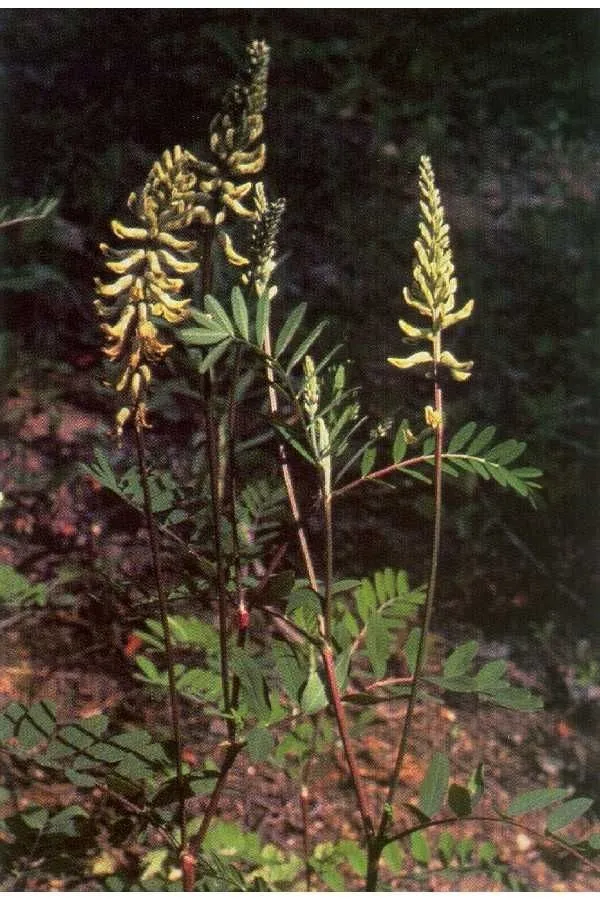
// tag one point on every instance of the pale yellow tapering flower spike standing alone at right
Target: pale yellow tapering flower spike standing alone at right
(434, 286)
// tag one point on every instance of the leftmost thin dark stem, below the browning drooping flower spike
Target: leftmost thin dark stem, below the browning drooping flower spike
(166, 629)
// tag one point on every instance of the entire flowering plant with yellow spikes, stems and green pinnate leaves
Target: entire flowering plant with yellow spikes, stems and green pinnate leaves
(212, 646)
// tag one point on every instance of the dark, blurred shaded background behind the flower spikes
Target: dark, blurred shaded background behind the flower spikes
(505, 101)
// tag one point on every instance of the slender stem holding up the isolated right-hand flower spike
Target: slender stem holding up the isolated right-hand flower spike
(378, 843)
